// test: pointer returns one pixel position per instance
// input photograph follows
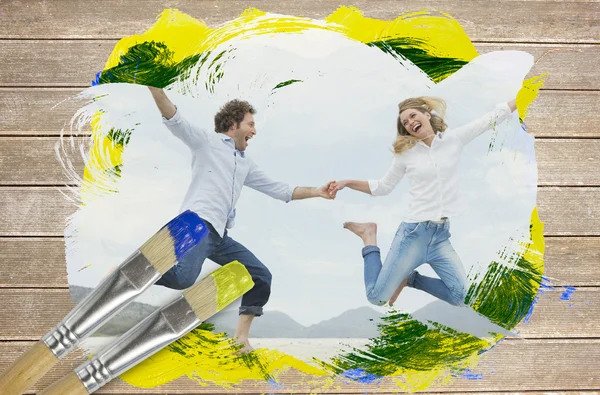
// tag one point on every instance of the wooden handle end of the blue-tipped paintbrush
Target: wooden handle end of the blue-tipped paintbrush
(26, 370)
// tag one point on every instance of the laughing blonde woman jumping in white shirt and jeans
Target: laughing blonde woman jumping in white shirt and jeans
(428, 154)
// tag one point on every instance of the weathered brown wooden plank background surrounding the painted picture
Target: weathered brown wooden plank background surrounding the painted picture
(52, 49)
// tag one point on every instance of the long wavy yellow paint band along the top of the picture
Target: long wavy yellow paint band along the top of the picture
(186, 36)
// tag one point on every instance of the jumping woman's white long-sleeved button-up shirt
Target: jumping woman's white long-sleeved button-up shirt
(432, 171)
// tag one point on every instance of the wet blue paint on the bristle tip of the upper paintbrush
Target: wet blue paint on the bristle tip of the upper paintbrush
(187, 230)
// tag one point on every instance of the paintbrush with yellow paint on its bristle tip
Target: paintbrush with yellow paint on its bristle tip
(163, 327)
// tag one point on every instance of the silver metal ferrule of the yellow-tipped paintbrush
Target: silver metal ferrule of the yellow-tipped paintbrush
(146, 338)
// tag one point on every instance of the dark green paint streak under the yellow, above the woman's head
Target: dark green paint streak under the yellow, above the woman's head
(416, 51)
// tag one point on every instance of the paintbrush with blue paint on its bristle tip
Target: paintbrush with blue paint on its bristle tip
(138, 272)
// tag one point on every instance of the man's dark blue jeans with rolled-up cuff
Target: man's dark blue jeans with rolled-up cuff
(222, 250)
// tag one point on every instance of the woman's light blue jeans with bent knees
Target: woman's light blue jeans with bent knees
(414, 245)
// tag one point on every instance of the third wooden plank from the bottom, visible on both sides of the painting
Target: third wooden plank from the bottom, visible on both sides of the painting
(40, 262)
